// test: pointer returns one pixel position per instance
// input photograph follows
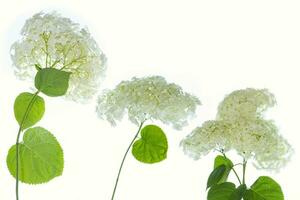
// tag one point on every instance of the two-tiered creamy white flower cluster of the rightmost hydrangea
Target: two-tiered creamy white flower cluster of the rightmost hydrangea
(240, 126)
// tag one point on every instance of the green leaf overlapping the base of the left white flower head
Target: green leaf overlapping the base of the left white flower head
(52, 82)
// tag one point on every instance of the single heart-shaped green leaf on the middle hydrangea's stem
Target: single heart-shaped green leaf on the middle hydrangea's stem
(152, 147)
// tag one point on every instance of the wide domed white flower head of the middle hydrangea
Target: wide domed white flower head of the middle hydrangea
(147, 98)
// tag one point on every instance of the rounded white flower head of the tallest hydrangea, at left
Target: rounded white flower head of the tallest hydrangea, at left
(50, 40)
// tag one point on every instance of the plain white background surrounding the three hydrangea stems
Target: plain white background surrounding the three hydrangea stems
(210, 48)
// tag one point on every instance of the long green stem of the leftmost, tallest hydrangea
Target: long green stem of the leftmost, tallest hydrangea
(18, 138)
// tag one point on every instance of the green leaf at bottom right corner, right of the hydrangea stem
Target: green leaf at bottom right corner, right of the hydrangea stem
(264, 188)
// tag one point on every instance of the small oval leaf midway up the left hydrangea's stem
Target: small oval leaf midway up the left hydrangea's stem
(35, 107)
